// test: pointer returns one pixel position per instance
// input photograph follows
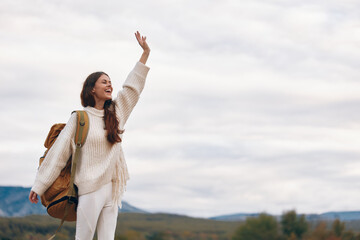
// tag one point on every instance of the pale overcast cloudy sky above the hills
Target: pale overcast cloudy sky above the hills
(249, 106)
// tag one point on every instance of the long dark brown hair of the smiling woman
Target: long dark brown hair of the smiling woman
(110, 119)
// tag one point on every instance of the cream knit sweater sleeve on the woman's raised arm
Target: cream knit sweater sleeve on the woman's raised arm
(129, 95)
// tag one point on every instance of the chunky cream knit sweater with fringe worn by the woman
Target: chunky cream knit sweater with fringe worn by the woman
(99, 162)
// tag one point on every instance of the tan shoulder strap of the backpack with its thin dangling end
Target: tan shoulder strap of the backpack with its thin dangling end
(82, 129)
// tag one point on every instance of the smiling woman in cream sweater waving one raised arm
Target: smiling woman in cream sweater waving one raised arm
(102, 173)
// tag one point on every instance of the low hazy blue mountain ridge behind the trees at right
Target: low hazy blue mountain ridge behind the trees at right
(328, 216)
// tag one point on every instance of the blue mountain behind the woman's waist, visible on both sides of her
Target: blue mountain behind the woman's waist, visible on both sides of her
(14, 202)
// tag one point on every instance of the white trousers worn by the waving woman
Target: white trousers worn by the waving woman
(97, 210)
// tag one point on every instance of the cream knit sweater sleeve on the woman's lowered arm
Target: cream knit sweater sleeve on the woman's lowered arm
(56, 158)
